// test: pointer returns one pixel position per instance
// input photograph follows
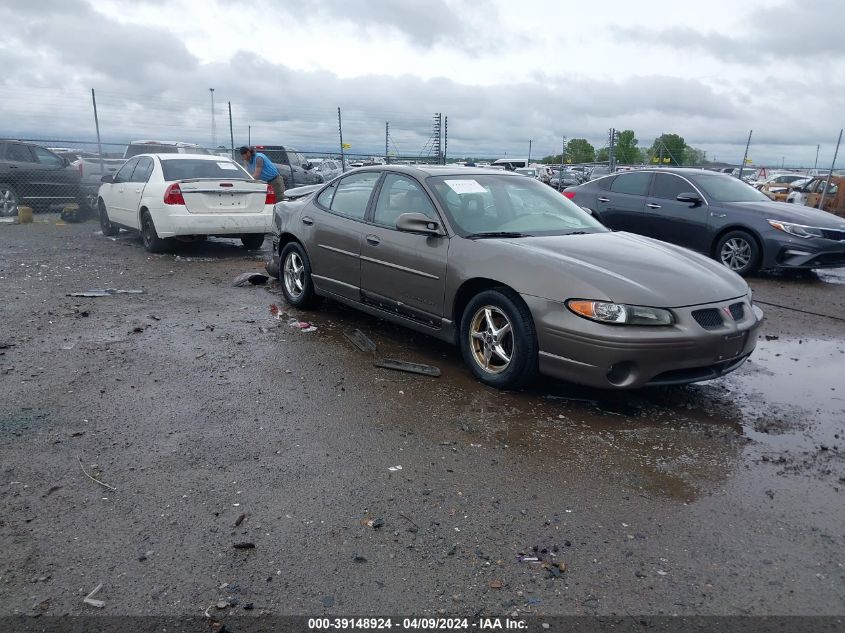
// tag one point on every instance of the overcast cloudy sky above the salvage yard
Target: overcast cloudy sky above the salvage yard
(503, 72)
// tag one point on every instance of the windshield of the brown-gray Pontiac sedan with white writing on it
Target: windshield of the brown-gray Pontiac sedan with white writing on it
(498, 204)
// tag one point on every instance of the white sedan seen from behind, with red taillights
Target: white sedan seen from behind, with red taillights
(168, 196)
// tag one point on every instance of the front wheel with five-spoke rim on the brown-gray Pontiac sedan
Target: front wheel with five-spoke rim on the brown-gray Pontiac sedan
(498, 340)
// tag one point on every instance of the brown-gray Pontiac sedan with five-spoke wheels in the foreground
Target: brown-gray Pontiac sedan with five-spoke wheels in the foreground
(520, 278)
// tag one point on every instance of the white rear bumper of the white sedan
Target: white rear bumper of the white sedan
(178, 222)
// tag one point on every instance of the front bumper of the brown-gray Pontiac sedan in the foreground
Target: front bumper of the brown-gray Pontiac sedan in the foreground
(624, 357)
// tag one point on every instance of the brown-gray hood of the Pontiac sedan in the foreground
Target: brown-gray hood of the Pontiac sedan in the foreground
(628, 268)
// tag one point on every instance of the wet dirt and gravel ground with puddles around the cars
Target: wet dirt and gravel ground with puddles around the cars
(215, 424)
